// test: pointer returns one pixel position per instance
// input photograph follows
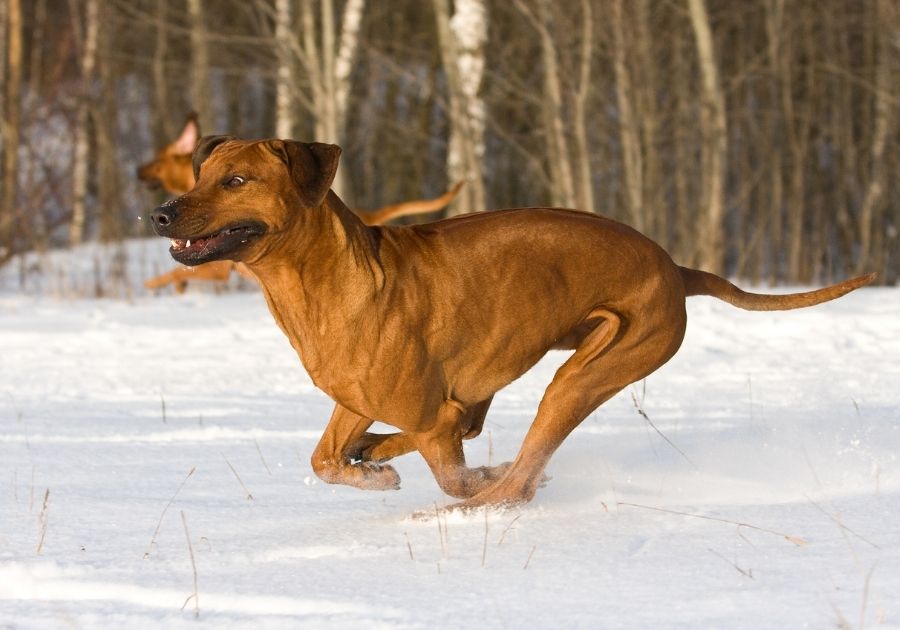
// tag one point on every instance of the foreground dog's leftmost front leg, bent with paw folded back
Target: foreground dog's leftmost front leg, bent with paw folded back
(331, 461)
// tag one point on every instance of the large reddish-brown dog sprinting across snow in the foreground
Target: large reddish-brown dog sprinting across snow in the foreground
(418, 326)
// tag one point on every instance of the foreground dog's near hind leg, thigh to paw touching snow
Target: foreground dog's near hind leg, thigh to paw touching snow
(610, 357)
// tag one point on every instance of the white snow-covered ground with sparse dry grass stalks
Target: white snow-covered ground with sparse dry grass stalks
(128, 427)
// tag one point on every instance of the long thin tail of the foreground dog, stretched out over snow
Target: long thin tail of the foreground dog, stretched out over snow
(698, 282)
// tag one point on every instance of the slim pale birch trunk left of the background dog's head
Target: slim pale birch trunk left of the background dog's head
(80, 170)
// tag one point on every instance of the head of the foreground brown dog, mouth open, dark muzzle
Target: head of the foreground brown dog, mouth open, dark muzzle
(247, 193)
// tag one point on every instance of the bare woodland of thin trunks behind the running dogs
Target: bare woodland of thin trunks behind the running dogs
(755, 138)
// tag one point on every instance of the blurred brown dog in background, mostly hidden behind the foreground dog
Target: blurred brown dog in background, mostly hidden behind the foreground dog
(171, 169)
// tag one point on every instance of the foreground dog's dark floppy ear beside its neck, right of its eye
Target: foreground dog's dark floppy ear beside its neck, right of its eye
(312, 166)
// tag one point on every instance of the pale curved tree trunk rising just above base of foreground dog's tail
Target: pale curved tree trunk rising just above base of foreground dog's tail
(715, 143)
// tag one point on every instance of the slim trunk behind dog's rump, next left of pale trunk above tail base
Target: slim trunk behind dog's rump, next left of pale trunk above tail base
(629, 131)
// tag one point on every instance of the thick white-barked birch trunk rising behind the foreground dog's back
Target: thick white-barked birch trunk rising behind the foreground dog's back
(461, 39)
